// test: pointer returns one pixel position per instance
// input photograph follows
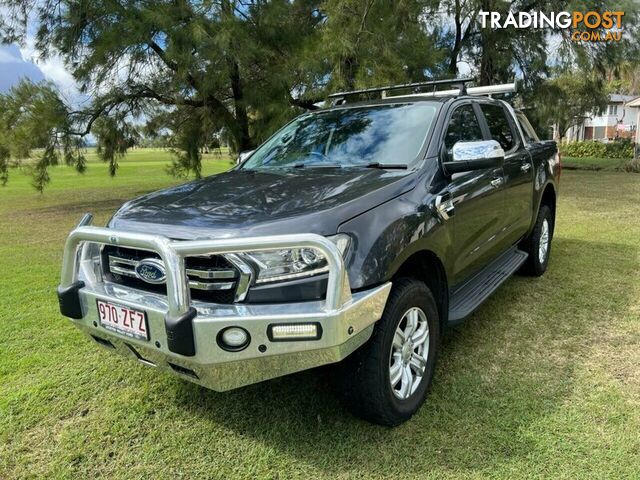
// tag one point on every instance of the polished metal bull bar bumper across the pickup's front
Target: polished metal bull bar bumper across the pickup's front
(183, 332)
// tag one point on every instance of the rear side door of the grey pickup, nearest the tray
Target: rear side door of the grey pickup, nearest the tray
(518, 172)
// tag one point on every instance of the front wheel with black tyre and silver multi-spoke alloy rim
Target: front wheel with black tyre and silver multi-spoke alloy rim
(387, 380)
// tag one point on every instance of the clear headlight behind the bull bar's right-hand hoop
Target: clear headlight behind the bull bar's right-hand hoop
(292, 263)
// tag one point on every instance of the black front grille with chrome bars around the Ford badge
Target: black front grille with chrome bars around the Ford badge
(212, 278)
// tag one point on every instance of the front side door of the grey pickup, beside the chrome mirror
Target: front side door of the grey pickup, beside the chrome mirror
(477, 197)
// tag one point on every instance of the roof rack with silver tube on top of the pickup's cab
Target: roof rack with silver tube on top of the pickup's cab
(462, 89)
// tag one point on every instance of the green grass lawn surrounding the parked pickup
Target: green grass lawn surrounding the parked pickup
(542, 381)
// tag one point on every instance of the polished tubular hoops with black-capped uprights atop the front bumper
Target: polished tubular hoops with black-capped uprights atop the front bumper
(180, 314)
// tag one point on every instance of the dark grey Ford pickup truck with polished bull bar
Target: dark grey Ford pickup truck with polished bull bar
(355, 235)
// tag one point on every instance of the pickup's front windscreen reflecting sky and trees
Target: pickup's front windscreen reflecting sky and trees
(349, 137)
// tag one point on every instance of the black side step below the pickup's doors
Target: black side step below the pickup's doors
(468, 296)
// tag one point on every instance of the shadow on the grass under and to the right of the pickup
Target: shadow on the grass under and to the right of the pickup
(501, 376)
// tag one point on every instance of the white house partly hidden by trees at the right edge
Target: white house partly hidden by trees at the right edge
(618, 120)
